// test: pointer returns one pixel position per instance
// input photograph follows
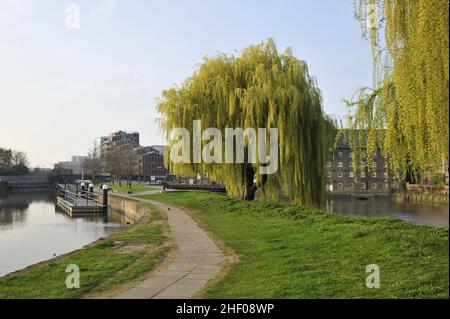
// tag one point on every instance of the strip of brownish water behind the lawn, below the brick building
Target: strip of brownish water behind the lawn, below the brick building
(437, 216)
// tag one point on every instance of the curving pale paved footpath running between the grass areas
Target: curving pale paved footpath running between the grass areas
(197, 261)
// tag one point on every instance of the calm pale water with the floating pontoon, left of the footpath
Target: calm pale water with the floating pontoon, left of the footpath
(33, 228)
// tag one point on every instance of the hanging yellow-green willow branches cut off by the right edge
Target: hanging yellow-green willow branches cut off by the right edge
(407, 109)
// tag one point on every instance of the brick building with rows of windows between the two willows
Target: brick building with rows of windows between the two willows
(375, 178)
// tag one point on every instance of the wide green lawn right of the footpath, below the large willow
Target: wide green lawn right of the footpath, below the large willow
(288, 251)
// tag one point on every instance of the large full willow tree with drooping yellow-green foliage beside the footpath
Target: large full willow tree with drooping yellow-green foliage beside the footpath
(260, 88)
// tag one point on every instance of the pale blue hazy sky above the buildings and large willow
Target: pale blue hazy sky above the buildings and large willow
(63, 85)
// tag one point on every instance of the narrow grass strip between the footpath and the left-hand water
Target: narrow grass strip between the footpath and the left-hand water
(105, 266)
